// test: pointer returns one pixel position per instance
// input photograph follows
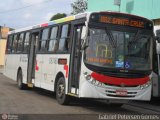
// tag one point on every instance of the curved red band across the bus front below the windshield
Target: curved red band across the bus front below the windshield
(119, 81)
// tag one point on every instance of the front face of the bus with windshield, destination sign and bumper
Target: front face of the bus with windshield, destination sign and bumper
(117, 60)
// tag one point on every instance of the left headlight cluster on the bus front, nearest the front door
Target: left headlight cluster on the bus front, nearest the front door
(91, 80)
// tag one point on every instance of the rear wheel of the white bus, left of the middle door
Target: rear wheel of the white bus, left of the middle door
(20, 84)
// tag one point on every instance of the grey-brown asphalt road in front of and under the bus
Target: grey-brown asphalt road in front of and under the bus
(38, 101)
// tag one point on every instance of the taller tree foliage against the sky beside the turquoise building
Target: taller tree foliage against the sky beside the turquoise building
(79, 6)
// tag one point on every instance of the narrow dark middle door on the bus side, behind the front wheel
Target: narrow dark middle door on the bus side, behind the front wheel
(32, 63)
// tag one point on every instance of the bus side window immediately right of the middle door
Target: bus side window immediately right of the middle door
(44, 39)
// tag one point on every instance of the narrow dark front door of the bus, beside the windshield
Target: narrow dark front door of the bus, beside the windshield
(75, 68)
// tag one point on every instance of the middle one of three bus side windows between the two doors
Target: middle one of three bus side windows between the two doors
(53, 43)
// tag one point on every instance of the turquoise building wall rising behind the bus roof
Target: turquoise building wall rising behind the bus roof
(146, 8)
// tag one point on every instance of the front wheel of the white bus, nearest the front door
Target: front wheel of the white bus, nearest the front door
(61, 97)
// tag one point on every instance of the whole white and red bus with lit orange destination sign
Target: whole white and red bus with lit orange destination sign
(101, 55)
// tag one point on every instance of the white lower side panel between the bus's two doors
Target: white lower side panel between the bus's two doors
(50, 69)
